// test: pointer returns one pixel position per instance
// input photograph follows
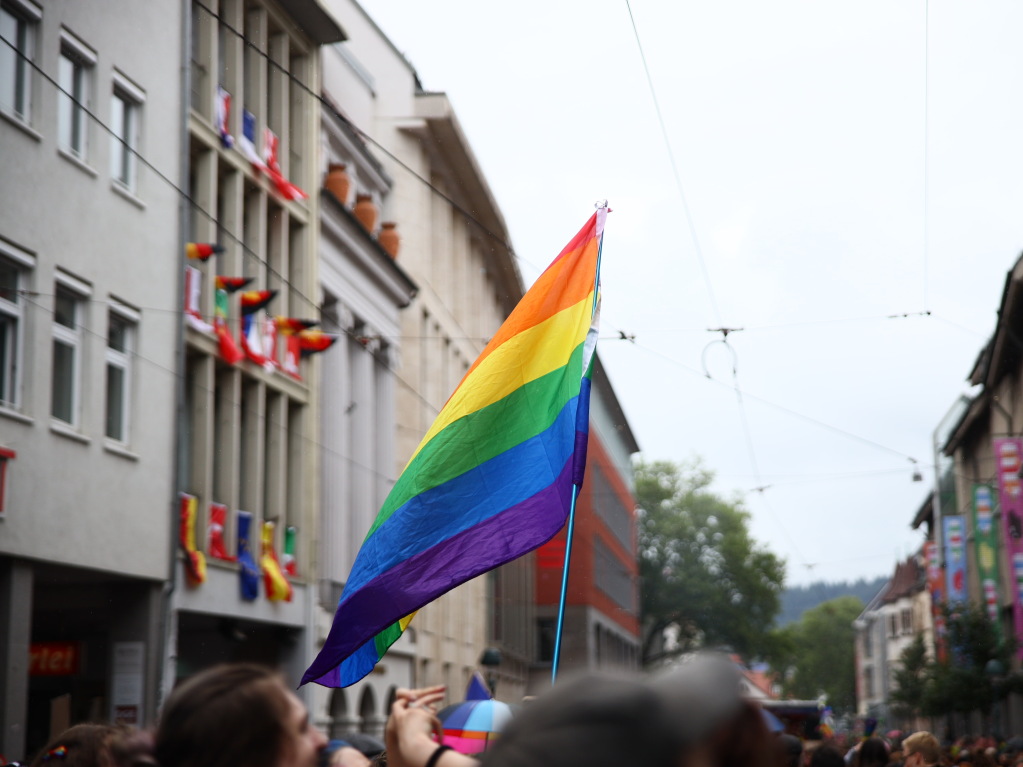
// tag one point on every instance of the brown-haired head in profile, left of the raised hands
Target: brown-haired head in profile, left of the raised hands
(239, 715)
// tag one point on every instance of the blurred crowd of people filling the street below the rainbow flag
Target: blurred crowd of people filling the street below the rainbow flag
(694, 716)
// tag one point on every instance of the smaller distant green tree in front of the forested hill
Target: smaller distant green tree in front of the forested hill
(818, 654)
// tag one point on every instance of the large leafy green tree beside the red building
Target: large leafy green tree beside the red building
(701, 570)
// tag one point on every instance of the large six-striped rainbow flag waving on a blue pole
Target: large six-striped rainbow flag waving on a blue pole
(494, 477)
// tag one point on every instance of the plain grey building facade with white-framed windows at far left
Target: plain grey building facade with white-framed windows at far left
(90, 246)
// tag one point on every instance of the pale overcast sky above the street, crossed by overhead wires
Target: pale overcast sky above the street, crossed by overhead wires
(838, 166)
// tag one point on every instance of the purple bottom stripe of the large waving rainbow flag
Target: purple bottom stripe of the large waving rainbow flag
(421, 579)
